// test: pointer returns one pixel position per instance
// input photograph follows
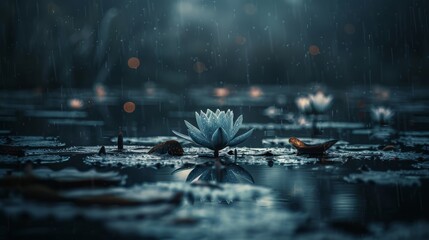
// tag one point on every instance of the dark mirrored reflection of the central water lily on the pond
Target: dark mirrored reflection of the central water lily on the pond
(217, 171)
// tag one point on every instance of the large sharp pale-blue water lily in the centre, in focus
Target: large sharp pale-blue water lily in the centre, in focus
(216, 130)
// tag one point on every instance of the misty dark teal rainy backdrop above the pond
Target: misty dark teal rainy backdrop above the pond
(338, 43)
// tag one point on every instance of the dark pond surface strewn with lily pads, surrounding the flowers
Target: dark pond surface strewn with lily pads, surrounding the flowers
(373, 183)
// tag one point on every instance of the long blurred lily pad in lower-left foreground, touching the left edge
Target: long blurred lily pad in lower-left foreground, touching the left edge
(102, 204)
